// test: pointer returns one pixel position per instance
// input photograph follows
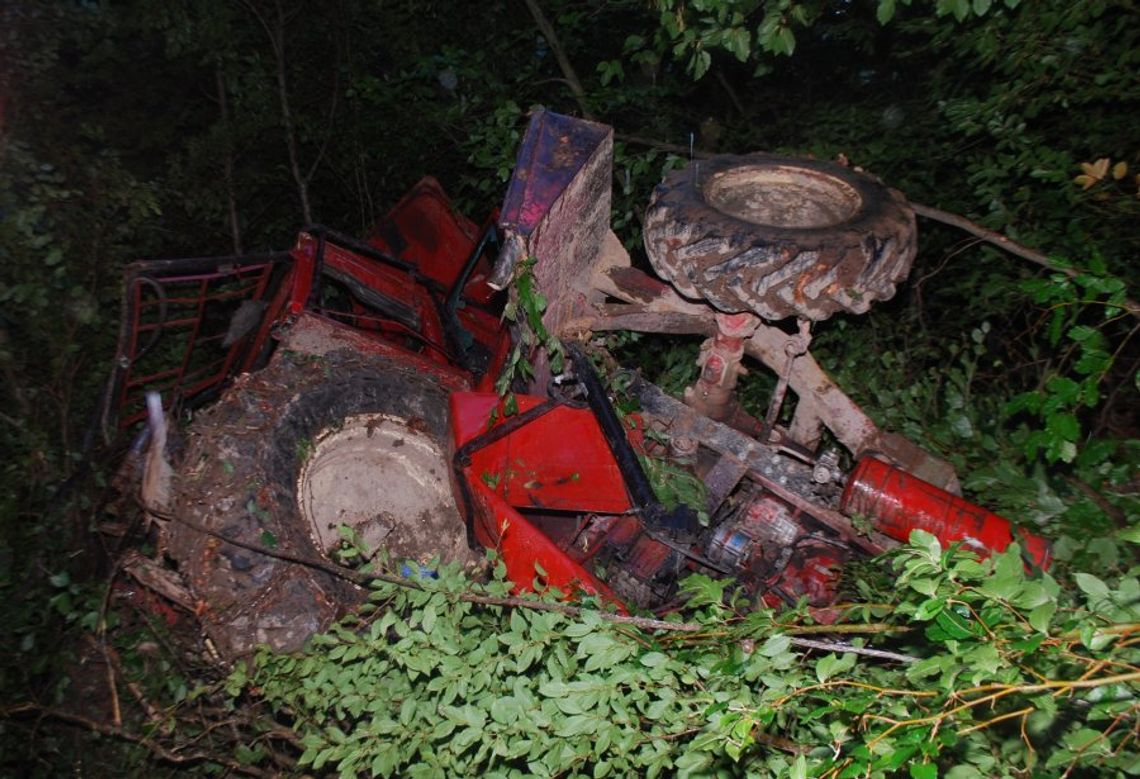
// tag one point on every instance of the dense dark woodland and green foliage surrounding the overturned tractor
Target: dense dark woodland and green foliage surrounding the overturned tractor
(160, 128)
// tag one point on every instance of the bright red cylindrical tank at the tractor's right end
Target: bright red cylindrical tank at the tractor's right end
(899, 502)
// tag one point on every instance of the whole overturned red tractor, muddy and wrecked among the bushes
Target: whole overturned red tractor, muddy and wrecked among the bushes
(356, 395)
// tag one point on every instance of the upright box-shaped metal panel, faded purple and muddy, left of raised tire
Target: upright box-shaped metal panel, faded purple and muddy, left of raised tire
(558, 208)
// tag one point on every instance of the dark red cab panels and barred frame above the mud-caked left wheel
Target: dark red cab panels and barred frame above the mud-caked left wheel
(418, 286)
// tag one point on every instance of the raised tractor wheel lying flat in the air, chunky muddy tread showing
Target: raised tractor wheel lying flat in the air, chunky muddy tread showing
(780, 237)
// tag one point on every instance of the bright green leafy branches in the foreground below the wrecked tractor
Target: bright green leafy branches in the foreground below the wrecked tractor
(1011, 676)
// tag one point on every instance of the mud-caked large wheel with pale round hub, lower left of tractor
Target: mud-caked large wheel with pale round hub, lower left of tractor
(286, 458)
